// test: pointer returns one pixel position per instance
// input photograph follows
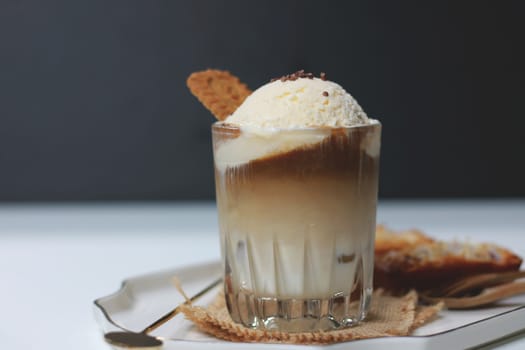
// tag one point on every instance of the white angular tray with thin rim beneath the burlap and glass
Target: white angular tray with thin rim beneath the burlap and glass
(141, 300)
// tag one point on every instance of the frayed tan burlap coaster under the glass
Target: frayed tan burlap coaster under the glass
(388, 316)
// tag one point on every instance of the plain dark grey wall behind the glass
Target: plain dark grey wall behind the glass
(93, 102)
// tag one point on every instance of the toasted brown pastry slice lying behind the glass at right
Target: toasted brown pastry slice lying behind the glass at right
(410, 259)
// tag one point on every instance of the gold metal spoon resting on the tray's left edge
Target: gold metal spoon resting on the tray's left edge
(142, 339)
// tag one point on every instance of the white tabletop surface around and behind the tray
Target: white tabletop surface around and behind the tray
(55, 259)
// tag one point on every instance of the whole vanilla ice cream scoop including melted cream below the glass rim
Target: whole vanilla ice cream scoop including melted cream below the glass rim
(294, 112)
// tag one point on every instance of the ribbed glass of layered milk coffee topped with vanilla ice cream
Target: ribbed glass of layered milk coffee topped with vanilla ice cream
(296, 168)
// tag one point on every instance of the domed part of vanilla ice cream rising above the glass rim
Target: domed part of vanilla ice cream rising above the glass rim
(299, 103)
